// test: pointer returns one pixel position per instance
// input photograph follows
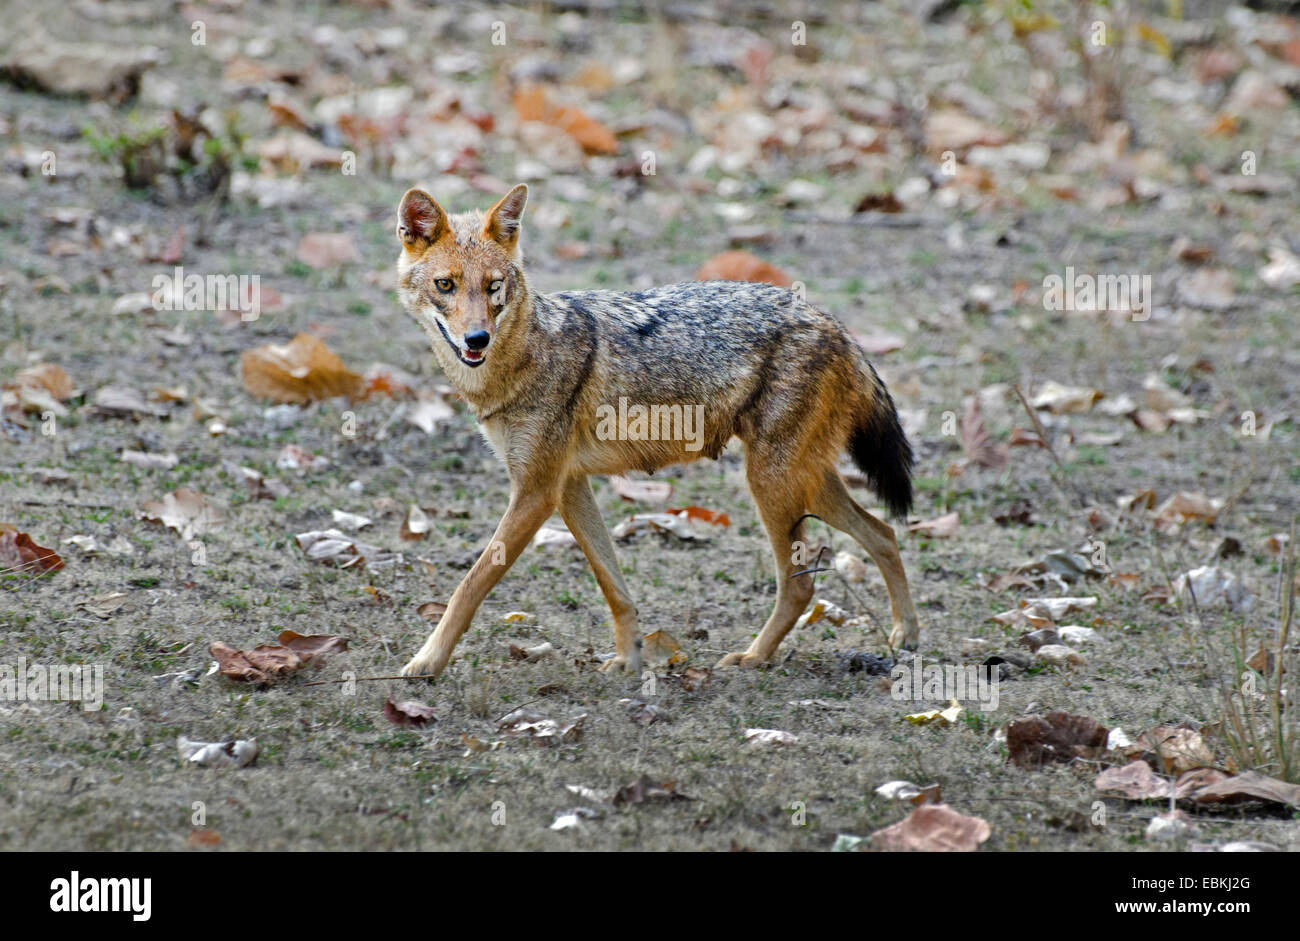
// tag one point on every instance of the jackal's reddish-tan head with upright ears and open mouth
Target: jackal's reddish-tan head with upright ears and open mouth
(461, 277)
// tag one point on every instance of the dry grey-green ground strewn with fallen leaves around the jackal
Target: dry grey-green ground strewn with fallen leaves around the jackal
(757, 144)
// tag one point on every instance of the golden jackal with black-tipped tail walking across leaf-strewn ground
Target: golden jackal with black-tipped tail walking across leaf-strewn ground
(545, 372)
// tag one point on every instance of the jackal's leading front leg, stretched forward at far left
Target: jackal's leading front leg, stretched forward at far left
(525, 517)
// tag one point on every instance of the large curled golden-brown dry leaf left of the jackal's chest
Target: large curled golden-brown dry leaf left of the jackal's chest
(302, 371)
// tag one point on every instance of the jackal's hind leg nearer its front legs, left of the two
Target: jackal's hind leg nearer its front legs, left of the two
(781, 505)
